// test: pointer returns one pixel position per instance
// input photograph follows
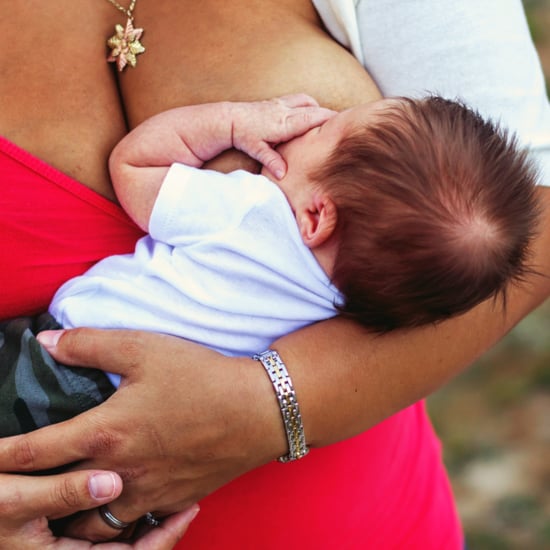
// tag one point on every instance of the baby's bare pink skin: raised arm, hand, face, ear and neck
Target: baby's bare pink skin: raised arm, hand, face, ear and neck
(289, 136)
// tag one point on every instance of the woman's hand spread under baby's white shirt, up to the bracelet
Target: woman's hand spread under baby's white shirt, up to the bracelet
(175, 431)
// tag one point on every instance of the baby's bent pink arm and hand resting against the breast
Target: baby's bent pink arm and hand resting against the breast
(195, 134)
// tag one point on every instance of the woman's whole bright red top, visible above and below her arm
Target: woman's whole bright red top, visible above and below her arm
(384, 489)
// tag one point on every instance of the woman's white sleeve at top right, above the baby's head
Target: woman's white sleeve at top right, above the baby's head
(452, 48)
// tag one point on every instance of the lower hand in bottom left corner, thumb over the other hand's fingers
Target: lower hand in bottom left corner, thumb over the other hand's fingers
(27, 503)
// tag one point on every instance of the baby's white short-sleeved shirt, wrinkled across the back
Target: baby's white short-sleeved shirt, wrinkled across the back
(224, 265)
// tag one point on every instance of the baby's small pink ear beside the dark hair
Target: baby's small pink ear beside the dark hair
(317, 222)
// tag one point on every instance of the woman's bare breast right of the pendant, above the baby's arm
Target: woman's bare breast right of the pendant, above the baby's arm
(241, 51)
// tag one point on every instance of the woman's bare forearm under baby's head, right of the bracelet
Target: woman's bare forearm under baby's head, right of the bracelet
(345, 389)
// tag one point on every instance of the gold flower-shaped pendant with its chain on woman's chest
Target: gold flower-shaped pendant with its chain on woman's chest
(125, 44)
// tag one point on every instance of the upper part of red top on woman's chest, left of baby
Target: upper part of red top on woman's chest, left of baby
(52, 228)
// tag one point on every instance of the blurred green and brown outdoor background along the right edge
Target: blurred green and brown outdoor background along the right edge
(494, 420)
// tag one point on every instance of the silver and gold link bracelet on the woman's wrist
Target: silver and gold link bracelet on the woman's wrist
(286, 396)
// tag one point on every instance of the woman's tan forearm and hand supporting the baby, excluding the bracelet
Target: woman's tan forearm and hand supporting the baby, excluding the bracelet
(224, 419)
